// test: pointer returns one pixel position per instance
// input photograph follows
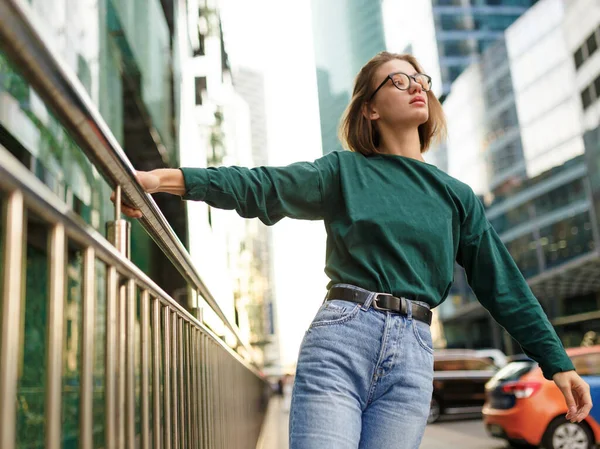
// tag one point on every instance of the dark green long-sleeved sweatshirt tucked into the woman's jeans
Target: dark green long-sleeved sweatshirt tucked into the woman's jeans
(394, 225)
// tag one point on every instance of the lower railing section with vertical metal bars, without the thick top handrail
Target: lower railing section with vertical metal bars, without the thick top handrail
(199, 392)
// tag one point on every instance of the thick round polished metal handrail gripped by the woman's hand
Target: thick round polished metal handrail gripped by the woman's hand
(62, 91)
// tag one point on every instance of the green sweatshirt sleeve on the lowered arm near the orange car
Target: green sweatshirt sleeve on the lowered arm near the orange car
(501, 288)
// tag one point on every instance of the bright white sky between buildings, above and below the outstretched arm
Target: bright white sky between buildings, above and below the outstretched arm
(283, 51)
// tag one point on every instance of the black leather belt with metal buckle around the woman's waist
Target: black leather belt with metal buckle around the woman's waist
(382, 301)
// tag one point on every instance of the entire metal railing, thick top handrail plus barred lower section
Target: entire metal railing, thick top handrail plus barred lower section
(169, 381)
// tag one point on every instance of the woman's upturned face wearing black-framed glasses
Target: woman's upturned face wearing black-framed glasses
(392, 106)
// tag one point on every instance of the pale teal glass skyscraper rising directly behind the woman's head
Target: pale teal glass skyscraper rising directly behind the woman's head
(347, 33)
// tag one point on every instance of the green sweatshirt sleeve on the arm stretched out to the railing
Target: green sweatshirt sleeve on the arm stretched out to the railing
(298, 190)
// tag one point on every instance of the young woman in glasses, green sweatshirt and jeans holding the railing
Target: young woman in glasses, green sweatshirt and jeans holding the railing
(395, 227)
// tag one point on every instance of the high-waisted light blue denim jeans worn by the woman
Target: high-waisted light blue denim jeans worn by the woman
(364, 379)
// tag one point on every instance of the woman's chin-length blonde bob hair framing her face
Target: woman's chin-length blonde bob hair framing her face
(358, 133)
